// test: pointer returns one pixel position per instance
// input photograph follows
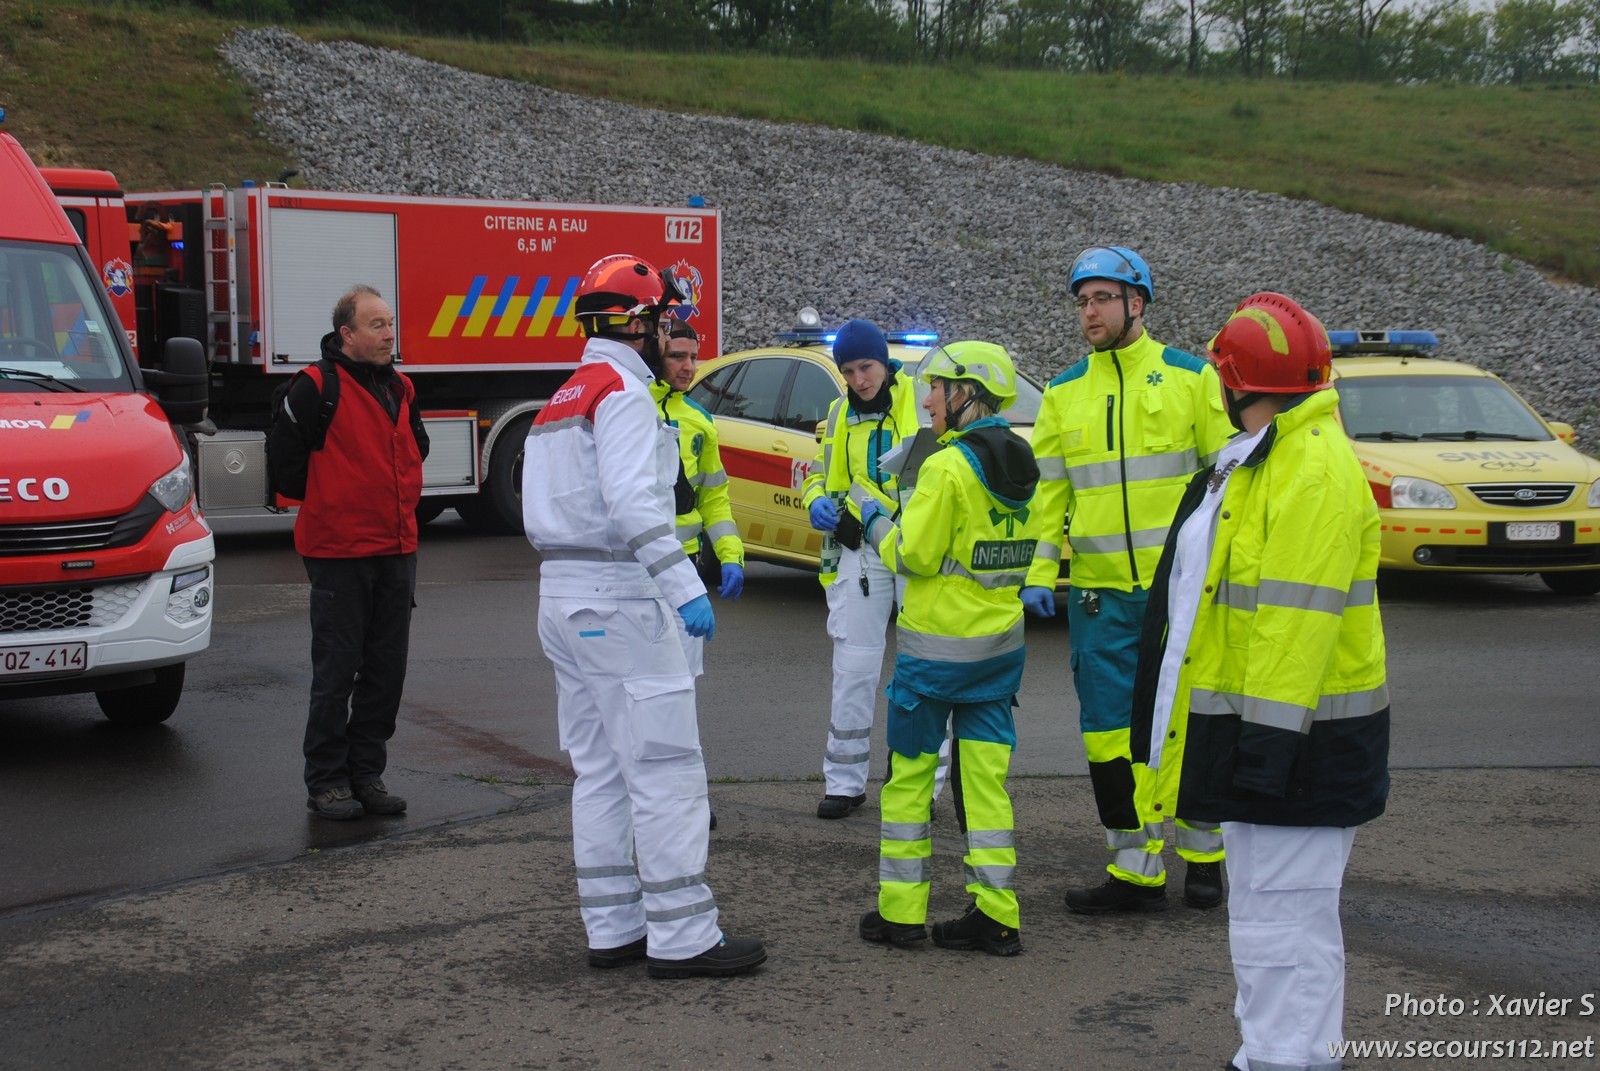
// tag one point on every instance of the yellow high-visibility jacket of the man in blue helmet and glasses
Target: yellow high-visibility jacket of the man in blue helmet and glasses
(1118, 438)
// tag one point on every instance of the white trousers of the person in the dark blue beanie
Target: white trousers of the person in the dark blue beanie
(858, 625)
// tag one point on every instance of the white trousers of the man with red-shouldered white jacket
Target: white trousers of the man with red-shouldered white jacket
(626, 712)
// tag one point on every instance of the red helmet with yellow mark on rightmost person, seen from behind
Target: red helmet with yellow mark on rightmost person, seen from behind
(1273, 347)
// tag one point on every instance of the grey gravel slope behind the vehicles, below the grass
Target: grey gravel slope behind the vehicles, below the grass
(910, 235)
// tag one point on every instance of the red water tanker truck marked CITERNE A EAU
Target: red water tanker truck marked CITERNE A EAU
(484, 297)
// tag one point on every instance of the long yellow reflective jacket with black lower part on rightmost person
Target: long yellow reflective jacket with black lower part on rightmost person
(1284, 678)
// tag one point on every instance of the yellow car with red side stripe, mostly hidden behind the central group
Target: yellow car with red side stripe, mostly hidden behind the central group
(769, 404)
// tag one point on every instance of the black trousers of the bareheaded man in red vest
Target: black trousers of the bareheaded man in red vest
(361, 627)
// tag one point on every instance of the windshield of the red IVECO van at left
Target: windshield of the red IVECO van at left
(57, 329)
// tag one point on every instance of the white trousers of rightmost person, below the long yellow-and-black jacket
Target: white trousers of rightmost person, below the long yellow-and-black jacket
(1289, 950)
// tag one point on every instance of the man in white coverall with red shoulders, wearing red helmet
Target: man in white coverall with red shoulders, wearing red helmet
(598, 503)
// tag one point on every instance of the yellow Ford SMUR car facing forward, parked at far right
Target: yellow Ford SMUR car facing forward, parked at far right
(1466, 475)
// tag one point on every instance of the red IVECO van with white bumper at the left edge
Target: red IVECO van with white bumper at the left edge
(105, 555)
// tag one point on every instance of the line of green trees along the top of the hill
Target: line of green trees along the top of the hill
(1359, 41)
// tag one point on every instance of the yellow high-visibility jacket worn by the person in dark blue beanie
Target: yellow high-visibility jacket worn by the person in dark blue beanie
(847, 460)
